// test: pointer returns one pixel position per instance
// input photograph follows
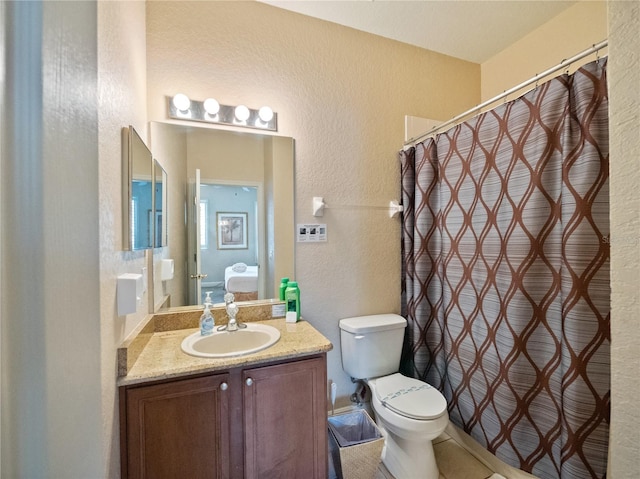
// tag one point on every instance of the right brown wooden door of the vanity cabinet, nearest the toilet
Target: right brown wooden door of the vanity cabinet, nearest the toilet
(285, 415)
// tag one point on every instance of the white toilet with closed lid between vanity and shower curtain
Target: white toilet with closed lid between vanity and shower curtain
(410, 413)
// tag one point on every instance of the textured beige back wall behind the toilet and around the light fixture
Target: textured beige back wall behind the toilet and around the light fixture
(342, 94)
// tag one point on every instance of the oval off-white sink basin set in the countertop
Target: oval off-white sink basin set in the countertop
(223, 344)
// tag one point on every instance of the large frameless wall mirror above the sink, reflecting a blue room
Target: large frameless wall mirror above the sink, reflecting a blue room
(234, 192)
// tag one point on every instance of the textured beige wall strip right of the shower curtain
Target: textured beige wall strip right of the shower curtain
(624, 123)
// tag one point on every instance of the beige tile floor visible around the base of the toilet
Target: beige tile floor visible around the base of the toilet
(453, 461)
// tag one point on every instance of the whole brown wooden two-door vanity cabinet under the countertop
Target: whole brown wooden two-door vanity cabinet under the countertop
(263, 422)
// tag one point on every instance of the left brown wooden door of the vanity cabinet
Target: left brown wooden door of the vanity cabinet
(178, 429)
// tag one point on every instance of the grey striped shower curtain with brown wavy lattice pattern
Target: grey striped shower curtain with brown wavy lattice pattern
(505, 245)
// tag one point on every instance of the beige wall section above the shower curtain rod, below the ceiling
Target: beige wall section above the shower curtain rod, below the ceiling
(574, 30)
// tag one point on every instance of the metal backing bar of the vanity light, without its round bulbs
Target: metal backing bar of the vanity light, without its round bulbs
(226, 115)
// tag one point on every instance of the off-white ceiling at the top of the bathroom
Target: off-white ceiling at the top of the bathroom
(473, 30)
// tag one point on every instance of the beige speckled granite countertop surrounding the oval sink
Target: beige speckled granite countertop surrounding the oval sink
(162, 357)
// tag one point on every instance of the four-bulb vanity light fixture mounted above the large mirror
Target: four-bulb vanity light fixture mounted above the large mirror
(180, 107)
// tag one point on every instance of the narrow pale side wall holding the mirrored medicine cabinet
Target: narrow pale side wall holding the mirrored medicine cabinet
(122, 102)
